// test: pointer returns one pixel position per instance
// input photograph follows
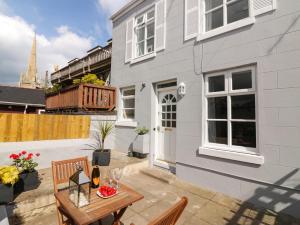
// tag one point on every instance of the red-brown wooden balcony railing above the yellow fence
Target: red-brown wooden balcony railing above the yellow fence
(85, 97)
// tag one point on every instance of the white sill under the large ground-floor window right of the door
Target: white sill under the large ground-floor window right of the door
(236, 156)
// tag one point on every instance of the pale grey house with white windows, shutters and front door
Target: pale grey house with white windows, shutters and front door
(218, 85)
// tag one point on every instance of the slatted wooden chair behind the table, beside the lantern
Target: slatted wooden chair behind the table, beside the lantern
(61, 172)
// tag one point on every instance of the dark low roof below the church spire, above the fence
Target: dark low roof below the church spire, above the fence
(17, 95)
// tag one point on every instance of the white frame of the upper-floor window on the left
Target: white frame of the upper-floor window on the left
(145, 23)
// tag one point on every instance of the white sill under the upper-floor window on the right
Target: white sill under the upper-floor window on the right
(226, 28)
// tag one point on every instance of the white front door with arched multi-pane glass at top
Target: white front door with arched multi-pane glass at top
(166, 129)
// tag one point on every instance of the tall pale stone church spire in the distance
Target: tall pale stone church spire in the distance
(29, 79)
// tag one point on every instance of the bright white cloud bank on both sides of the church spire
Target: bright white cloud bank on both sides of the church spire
(15, 44)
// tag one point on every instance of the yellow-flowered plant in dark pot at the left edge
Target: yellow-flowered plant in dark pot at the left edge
(9, 175)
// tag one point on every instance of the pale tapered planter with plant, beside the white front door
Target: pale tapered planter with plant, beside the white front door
(142, 142)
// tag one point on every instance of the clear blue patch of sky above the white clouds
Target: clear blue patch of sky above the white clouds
(85, 17)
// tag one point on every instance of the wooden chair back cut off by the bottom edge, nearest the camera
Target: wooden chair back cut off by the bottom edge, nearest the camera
(170, 216)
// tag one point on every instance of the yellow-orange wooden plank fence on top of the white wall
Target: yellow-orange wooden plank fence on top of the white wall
(33, 127)
